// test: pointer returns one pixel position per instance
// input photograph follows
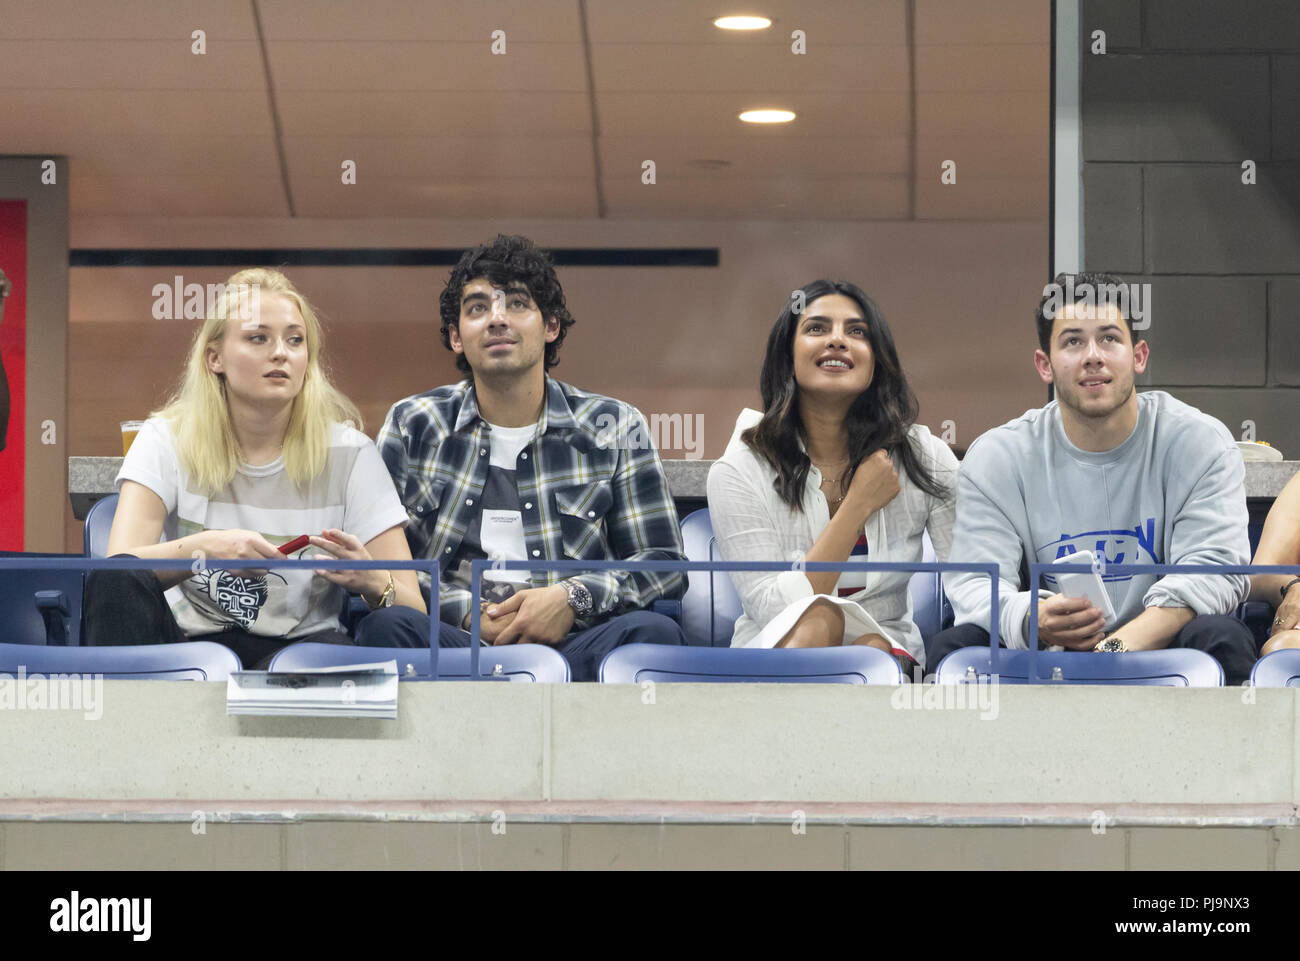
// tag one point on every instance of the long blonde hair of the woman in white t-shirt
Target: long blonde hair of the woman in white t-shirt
(200, 414)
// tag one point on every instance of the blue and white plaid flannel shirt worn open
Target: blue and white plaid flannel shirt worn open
(592, 473)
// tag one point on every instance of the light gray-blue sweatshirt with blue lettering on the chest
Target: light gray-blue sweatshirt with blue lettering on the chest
(1173, 494)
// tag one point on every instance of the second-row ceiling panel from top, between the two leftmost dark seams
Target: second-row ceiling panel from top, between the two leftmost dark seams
(422, 66)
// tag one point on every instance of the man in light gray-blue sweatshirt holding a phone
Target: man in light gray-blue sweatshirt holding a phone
(1130, 478)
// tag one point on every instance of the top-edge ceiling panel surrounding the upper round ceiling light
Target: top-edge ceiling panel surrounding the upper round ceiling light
(692, 21)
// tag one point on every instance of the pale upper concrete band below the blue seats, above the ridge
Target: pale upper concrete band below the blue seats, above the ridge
(753, 744)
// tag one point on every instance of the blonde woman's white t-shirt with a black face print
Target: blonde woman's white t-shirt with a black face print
(354, 494)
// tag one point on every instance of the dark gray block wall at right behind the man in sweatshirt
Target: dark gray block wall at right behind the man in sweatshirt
(1186, 93)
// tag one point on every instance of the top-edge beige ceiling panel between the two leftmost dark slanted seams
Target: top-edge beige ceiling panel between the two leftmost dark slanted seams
(453, 21)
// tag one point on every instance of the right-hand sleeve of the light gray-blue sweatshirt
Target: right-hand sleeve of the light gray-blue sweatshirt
(1210, 529)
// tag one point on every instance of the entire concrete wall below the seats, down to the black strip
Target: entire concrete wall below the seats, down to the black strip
(695, 776)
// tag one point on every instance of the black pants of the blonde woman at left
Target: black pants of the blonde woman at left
(129, 608)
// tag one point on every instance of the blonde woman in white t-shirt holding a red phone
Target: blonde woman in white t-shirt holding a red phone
(255, 449)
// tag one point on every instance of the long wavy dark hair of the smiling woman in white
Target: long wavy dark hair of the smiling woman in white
(879, 418)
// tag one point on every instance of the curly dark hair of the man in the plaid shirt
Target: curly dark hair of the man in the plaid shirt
(508, 261)
